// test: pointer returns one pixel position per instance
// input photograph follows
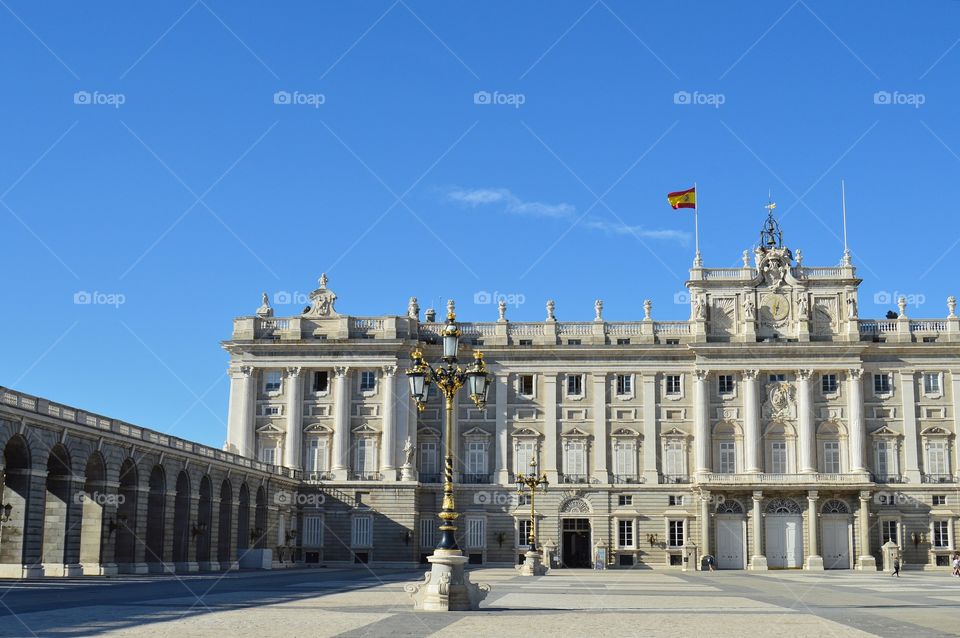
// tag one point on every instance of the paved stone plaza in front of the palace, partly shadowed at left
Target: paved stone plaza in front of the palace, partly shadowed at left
(325, 602)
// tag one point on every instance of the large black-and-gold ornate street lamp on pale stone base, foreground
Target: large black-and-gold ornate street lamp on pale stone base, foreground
(458, 593)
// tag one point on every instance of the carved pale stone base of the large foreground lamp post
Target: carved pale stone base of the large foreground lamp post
(447, 587)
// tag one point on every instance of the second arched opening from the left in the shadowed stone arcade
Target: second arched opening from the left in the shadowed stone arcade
(55, 547)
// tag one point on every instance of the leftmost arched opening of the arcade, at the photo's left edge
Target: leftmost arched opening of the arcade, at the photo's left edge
(16, 492)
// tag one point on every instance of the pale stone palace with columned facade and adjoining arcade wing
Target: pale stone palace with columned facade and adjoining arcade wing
(775, 428)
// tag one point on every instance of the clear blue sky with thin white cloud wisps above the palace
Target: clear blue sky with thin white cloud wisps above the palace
(179, 158)
